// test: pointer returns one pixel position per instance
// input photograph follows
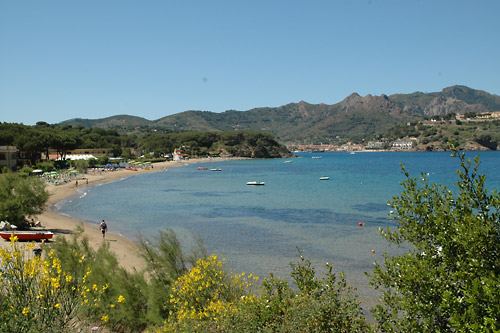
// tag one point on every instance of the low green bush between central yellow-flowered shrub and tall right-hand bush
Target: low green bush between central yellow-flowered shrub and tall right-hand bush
(320, 305)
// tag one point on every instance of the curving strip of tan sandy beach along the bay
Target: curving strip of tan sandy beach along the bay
(126, 250)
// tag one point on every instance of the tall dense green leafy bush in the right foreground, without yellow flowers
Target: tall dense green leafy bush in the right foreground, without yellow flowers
(450, 278)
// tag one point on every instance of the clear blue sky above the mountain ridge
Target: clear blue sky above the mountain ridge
(98, 58)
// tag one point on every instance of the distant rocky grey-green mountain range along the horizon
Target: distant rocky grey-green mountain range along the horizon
(354, 118)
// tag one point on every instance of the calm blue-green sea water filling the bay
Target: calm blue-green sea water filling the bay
(260, 229)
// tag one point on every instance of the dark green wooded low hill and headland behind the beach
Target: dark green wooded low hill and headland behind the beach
(36, 141)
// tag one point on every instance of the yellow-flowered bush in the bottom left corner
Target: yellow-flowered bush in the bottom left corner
(39, 295)
